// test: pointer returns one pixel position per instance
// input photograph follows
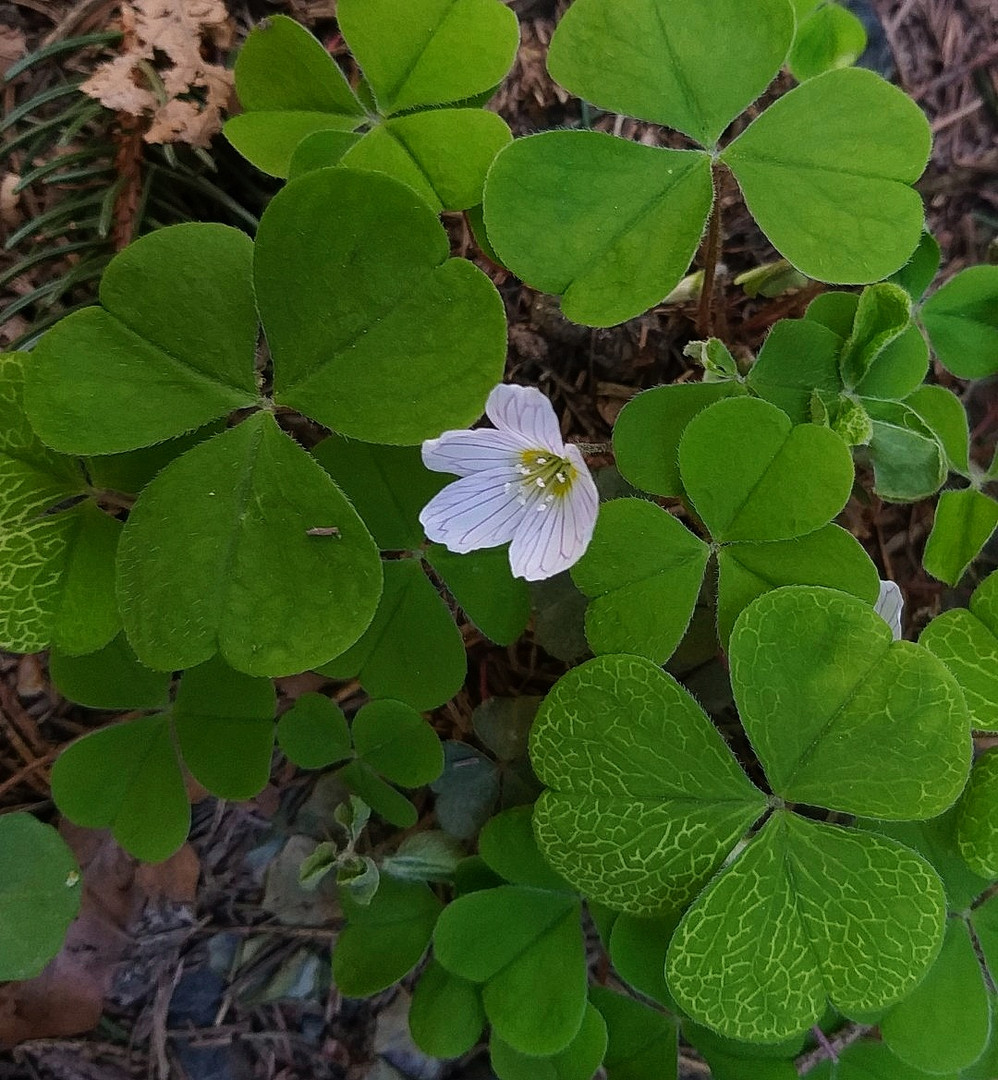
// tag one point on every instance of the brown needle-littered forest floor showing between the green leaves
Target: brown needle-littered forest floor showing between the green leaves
(214, 966)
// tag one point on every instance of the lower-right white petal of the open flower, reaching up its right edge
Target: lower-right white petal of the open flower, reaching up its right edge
(551, 541)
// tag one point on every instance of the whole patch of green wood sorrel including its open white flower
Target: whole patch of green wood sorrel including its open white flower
(170, 507)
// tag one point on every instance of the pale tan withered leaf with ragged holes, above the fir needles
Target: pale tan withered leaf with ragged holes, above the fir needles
(163, 78)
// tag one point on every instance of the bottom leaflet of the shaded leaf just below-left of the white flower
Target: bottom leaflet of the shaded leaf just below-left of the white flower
(412, 652)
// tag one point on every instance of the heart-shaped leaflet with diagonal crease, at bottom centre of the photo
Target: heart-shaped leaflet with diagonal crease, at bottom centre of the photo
(522, 944)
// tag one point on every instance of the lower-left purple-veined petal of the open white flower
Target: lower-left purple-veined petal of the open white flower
(478, 511)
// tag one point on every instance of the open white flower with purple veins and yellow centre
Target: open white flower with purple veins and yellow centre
(520, 482)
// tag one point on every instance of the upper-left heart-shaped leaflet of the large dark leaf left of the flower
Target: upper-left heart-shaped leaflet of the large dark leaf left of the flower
(134, 372)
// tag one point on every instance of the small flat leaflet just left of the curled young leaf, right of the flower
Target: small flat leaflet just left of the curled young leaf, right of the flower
(799, 357)
